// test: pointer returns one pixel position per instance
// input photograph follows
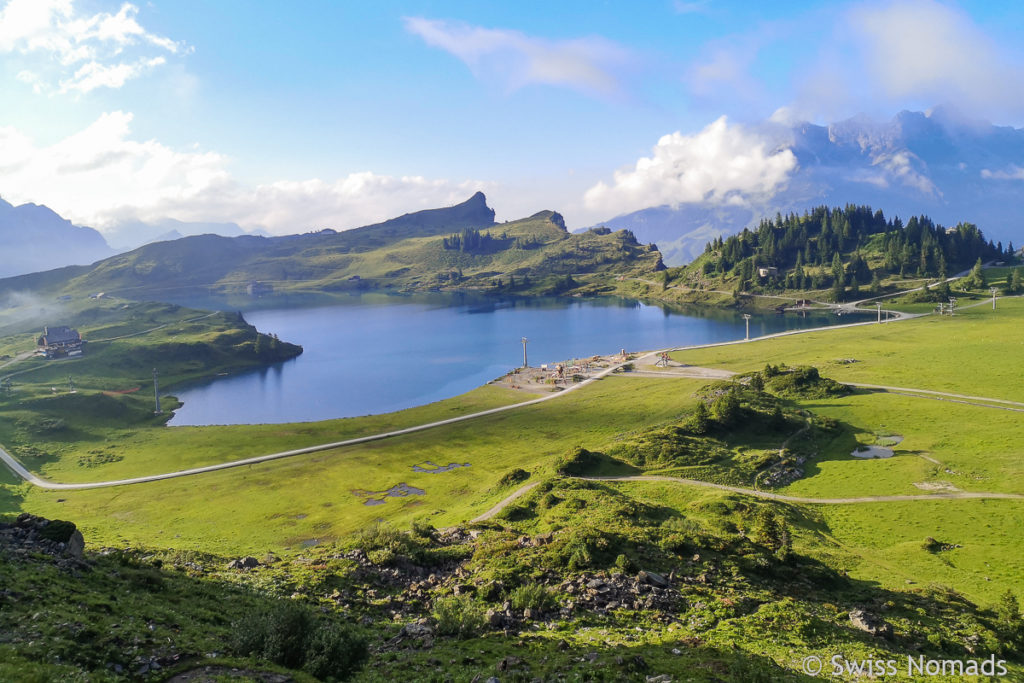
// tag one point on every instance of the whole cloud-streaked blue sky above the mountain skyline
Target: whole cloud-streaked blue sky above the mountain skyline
(289, 117)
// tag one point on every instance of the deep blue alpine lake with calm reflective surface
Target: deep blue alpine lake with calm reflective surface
(380, 354)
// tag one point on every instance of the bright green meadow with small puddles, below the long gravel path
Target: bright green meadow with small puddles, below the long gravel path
(283, 503)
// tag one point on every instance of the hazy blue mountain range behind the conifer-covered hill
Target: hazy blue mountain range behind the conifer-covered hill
(935, 164)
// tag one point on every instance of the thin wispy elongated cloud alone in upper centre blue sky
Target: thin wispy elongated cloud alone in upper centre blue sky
(515, 60)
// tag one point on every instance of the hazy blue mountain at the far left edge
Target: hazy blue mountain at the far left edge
(34, 238)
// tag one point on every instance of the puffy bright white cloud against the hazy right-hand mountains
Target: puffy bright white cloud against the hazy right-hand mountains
(722, 164)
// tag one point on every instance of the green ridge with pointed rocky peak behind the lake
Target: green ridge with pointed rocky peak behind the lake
(458, 247)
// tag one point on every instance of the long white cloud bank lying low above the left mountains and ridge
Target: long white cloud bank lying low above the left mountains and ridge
(101, 177)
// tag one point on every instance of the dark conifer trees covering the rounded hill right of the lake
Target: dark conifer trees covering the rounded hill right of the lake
(827, 248)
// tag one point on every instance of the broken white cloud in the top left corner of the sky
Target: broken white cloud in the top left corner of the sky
(69, 52)
